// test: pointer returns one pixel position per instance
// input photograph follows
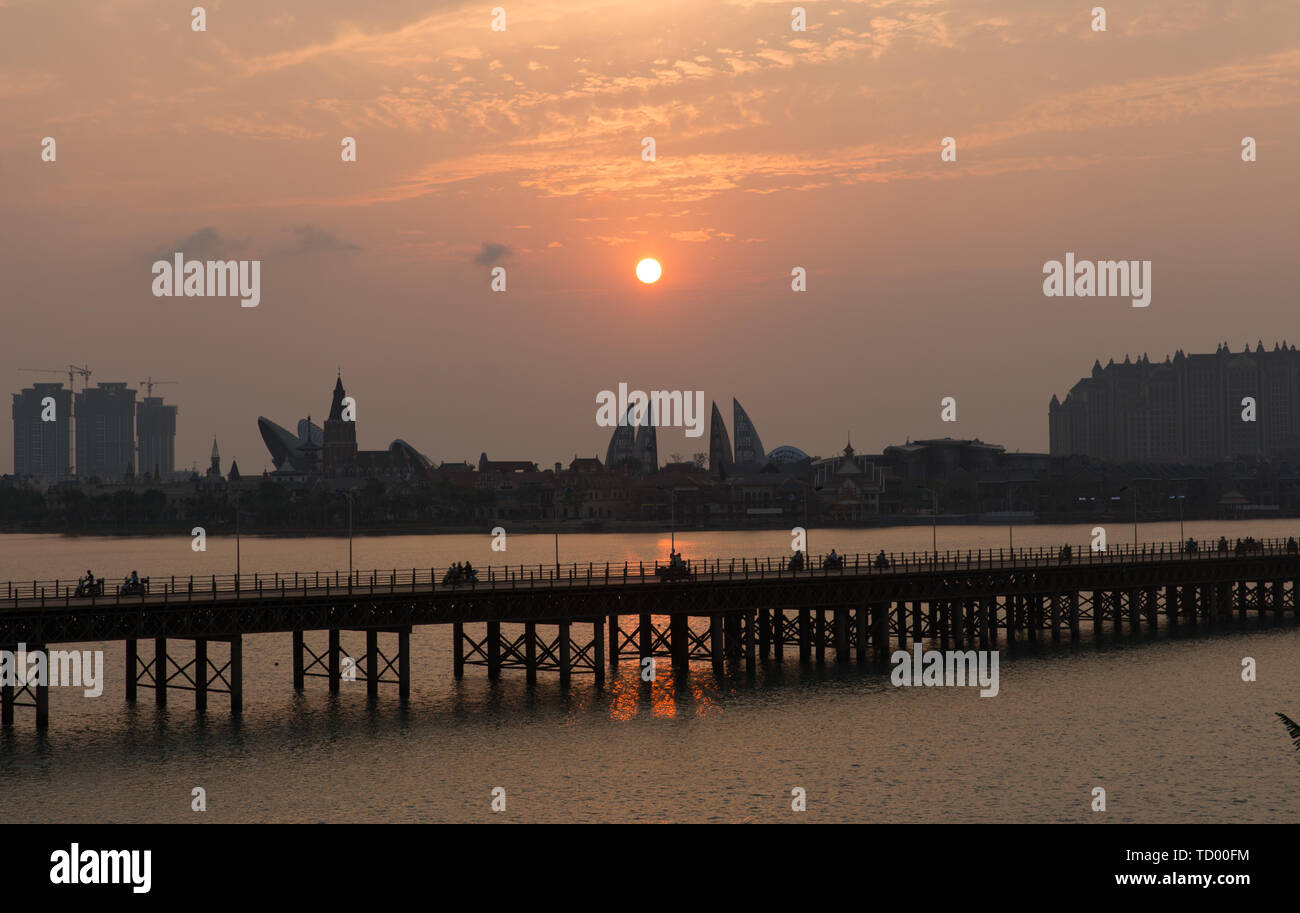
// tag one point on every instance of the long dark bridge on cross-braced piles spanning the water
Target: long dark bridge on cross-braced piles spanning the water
(580, 620)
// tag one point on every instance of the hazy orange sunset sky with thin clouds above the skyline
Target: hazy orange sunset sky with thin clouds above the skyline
(774, 150)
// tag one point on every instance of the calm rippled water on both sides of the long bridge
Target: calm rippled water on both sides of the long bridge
(1169, 729)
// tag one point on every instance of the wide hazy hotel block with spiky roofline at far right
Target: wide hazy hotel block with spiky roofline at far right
(1188, 409)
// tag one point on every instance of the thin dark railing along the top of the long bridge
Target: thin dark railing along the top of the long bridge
(700, 570)
